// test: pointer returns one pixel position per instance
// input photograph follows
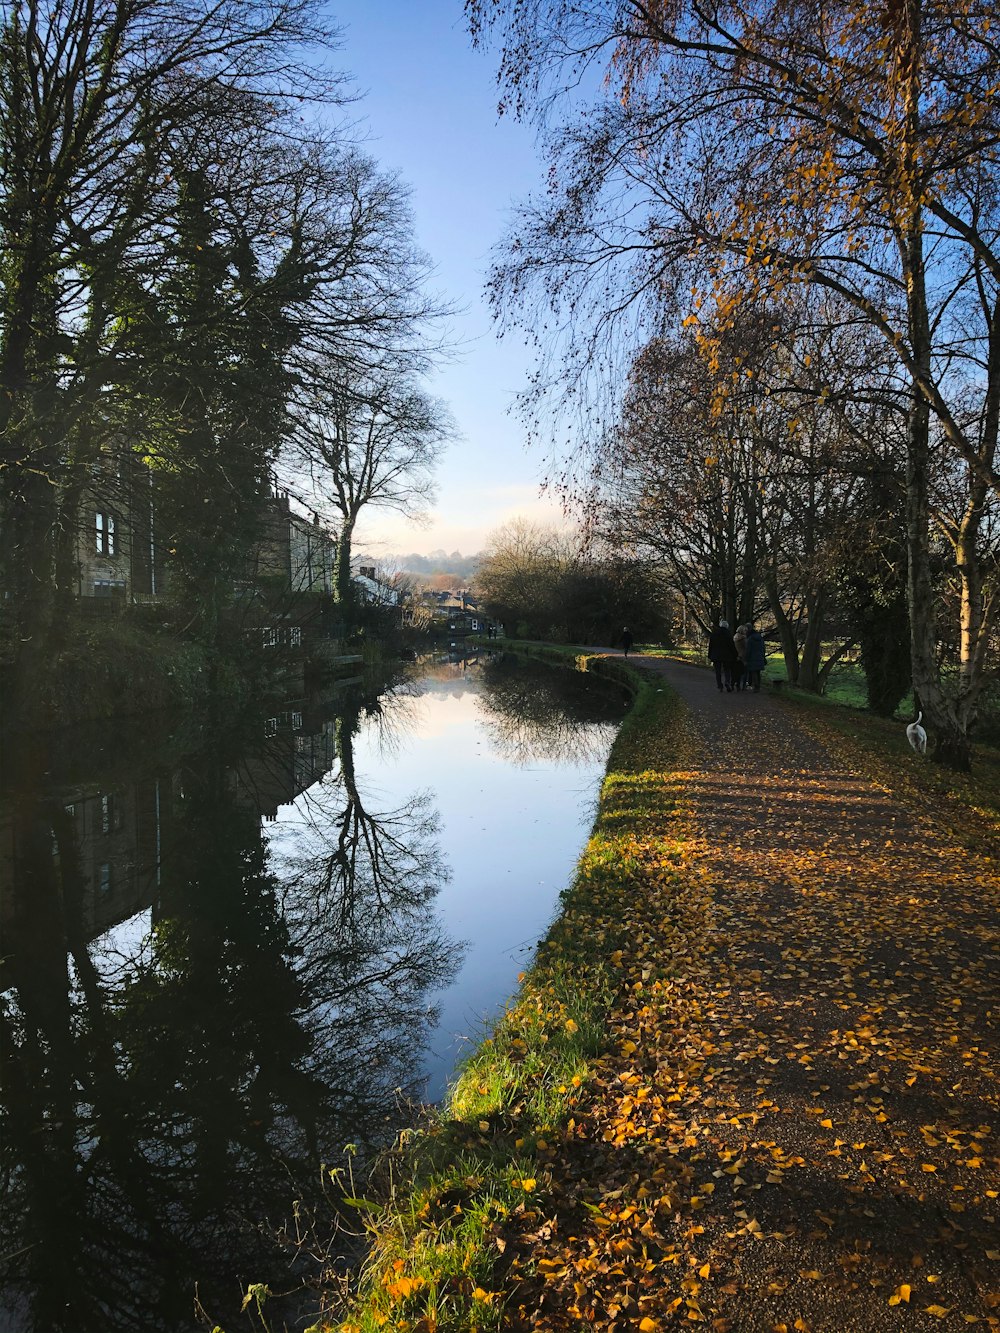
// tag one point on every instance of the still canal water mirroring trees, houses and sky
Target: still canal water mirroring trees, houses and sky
(234, 954)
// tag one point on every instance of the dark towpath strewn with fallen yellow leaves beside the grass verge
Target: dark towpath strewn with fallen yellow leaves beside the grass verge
(799, 1126)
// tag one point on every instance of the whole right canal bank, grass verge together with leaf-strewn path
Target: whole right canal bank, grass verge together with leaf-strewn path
(751, 1080)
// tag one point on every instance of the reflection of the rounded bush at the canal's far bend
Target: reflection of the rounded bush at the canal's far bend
(551, 716)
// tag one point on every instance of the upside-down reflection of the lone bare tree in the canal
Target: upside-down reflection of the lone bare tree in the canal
(373, 875)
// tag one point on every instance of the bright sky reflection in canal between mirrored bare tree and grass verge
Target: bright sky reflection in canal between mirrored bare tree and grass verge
(518, 794)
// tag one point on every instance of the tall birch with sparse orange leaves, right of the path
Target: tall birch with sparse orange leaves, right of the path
(763, 147)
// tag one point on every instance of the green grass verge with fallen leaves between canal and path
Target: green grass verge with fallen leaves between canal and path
(478, 1170)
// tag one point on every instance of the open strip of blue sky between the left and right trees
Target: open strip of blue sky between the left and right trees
(430, 113)
